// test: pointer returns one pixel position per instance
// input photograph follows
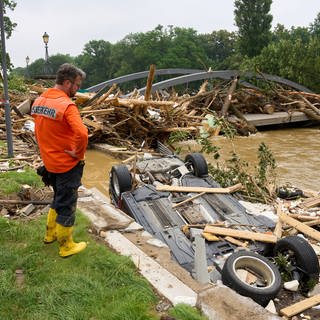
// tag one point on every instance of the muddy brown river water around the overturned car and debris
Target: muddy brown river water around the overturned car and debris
(296, 151)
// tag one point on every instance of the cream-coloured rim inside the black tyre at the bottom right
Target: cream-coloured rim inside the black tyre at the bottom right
(253, 272)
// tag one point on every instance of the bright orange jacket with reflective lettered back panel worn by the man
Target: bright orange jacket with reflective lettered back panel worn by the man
(58, 127)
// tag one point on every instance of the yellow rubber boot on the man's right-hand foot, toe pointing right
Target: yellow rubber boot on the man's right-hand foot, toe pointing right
(67, 246)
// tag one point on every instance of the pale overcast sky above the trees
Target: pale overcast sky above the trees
(73, 23)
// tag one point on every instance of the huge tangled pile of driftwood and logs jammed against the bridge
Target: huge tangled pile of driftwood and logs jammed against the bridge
(136, 120)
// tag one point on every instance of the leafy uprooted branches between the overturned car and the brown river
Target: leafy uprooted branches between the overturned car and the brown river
(258, 182)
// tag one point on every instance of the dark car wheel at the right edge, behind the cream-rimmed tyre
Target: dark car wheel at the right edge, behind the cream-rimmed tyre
(299, 261)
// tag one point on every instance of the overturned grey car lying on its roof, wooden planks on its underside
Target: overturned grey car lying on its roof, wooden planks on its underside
(172, 200)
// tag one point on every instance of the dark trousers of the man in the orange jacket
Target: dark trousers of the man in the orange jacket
(65, 186)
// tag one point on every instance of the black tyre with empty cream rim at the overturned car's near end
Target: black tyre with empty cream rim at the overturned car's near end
(252, 275)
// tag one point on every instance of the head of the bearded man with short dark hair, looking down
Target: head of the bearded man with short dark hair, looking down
(69, 79)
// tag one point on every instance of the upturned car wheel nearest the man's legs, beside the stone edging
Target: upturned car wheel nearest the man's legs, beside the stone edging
(120, 181)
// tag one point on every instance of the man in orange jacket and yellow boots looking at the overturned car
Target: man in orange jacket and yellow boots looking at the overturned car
(62, 139)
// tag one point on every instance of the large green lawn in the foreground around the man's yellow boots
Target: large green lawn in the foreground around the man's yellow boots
(95, 284)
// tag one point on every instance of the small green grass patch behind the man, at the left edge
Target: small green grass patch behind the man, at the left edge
(11, 181)
